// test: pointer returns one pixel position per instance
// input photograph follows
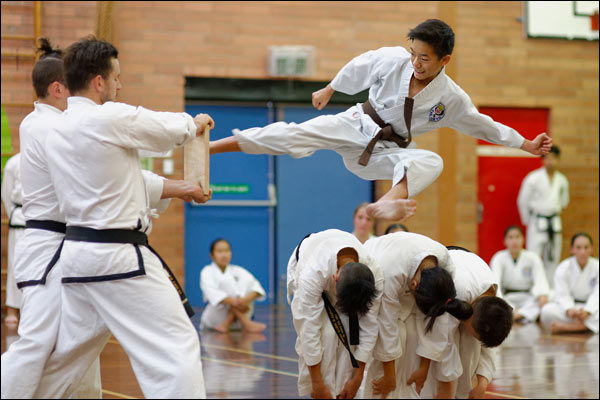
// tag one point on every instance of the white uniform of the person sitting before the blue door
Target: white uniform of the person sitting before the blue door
(216, 285)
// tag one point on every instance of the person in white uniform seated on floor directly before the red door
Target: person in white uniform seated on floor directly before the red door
(521, 277)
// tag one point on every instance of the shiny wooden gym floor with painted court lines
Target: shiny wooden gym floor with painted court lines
(531, 363)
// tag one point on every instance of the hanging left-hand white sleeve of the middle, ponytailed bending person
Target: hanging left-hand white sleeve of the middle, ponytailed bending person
(388, 346)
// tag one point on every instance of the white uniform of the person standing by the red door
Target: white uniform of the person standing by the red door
(540, 202)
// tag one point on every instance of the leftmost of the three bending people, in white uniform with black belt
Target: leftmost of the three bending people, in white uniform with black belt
(336, 288)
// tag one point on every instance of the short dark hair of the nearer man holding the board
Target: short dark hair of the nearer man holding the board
(86, 59)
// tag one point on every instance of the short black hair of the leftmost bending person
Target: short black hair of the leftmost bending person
(355, 289)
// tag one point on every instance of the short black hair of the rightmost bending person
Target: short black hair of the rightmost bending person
(492, 320)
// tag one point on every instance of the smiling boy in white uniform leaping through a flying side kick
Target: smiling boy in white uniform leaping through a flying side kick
(409, 94)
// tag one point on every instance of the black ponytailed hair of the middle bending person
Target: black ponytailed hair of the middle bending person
(436, 294)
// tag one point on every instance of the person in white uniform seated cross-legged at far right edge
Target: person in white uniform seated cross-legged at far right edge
(574, 307)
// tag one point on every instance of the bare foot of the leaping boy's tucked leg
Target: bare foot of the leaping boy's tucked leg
(394, 205)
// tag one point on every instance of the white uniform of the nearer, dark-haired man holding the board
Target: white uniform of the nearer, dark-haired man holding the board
(95, 169)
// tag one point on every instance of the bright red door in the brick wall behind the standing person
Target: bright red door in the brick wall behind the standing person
(501, 171)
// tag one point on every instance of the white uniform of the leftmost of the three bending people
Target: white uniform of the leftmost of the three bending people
(317, 341)
